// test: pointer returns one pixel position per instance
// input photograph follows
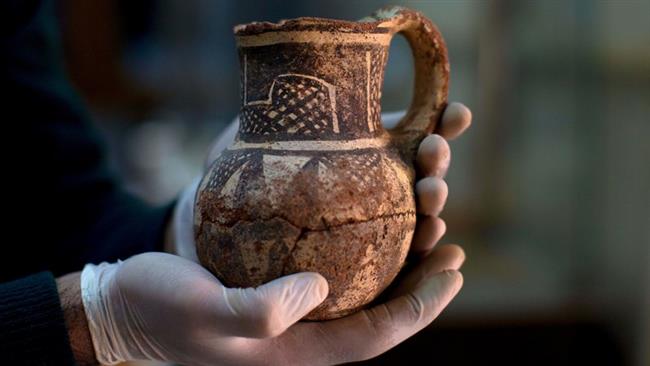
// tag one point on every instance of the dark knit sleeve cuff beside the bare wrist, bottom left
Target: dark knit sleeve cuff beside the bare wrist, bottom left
(32, 327)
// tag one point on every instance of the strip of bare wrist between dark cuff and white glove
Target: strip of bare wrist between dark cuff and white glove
(75, 319)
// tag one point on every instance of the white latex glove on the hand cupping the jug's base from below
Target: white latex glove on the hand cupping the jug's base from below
(159, 306)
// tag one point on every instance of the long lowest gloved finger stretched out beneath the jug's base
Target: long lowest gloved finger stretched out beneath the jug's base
(371, 332)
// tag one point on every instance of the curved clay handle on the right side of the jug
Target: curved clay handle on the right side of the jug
(431, 82)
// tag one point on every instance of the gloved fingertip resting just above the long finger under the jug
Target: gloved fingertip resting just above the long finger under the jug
(444, 257)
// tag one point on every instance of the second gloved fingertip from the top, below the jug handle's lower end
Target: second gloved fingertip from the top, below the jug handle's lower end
(433, 156)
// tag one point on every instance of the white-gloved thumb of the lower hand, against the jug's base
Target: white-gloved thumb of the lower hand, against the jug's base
(268, 310)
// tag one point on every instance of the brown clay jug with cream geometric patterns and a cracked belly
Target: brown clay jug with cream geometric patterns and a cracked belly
(313, 181)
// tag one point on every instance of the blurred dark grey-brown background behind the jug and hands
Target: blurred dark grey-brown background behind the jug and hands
(549, 190)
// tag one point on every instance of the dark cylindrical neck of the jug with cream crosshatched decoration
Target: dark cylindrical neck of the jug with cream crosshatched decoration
(311, 79)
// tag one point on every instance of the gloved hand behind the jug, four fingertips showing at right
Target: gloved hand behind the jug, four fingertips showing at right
(431, 190)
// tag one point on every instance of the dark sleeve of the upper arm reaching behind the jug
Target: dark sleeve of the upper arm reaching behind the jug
(62, 206)
